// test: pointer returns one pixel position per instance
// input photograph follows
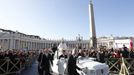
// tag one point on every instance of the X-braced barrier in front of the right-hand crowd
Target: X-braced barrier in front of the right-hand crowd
(115, 64)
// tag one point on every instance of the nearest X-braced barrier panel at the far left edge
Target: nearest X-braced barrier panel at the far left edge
(8, 66)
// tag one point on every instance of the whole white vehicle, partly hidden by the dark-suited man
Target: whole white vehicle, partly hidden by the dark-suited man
(89, 66)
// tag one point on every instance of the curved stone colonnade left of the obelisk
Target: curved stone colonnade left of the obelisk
(16, 40)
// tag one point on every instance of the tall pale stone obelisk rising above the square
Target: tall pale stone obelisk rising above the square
(93, 40)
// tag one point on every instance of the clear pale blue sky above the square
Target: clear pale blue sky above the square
(56, 19)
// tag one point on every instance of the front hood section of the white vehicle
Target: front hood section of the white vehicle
(92, 67)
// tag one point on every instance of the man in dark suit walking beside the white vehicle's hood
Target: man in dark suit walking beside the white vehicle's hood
(71, 65)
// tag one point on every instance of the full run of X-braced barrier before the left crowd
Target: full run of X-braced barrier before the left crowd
(15, 66)
